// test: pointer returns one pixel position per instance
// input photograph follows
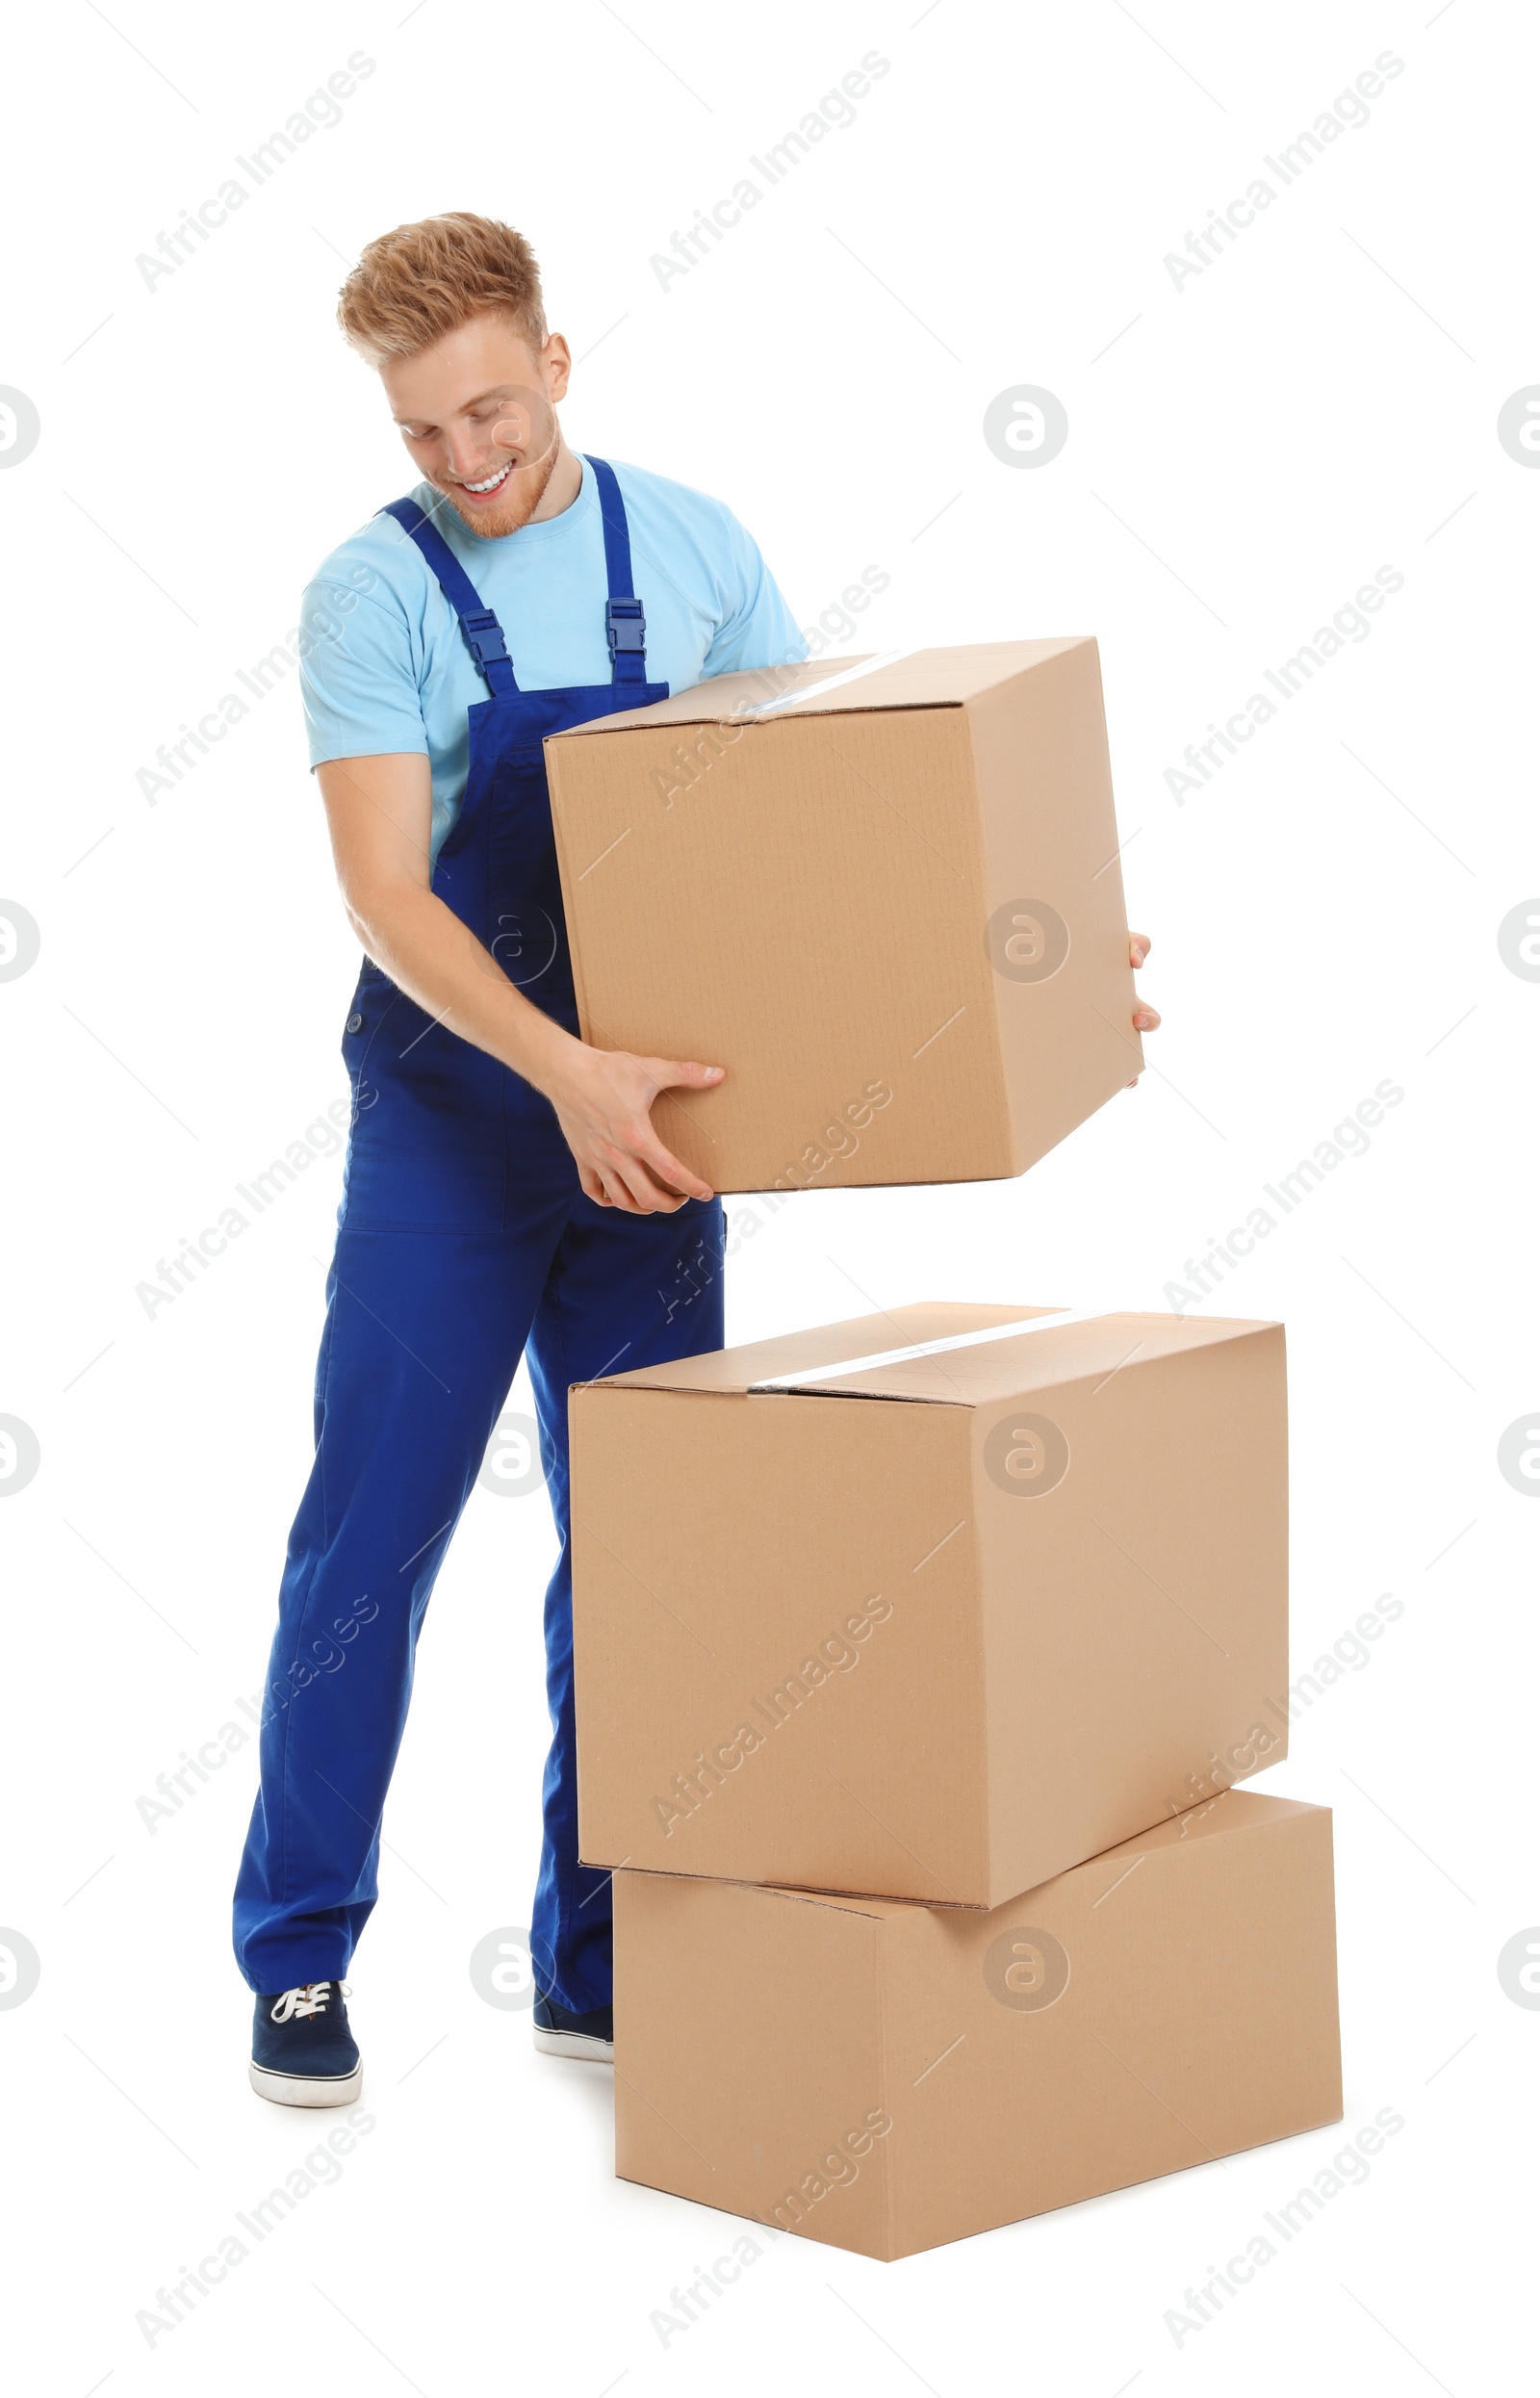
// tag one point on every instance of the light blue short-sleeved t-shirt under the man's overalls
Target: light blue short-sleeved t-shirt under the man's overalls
(385, 665)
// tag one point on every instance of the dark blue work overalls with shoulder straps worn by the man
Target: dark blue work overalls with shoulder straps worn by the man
(462, 1239)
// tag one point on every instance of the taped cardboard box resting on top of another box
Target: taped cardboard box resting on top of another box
(937, 1622)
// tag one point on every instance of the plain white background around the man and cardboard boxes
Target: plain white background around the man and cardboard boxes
(1244, 452)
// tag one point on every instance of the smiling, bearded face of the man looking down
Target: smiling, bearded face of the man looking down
(479, 414)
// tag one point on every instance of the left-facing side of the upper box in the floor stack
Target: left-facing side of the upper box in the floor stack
(723, 1565)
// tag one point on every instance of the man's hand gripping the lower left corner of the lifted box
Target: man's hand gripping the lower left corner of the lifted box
(603, 1104)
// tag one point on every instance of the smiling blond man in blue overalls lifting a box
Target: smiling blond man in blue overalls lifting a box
(505, 1183)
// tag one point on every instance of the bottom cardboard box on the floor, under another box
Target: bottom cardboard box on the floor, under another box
(889, 2078)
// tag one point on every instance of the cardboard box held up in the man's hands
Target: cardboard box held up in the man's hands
(884, 898)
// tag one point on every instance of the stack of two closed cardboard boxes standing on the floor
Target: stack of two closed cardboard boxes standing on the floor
(877, 1629)
